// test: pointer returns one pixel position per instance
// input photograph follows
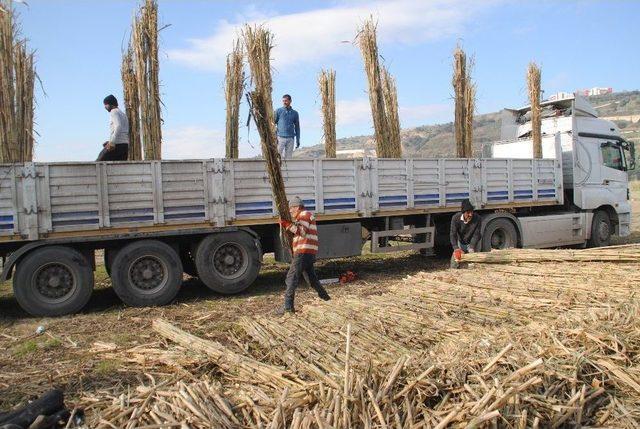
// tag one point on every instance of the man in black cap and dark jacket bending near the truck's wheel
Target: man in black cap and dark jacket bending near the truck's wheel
(464, 233)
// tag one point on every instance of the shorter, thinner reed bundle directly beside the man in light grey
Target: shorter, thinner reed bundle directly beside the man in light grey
(131, 104)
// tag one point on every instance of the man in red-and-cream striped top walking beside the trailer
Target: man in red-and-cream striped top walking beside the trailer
(305, 249)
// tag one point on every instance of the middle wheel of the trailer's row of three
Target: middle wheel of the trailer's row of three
(146, 273)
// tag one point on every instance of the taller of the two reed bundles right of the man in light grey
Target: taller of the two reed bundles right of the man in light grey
(144, 39)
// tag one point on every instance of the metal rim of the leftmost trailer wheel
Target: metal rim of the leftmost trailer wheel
(54, 282)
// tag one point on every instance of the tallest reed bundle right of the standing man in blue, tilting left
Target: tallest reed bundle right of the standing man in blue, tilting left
(387, 146)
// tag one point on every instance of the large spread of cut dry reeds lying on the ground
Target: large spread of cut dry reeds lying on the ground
(522, 345)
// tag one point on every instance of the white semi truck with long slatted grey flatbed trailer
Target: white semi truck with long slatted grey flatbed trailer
(215, 218)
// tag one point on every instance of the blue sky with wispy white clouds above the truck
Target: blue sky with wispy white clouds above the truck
(78, 45)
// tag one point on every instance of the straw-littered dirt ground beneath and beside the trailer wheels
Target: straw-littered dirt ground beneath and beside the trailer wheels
(63, 356)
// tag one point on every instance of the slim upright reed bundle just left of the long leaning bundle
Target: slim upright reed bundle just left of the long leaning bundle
(234, 83)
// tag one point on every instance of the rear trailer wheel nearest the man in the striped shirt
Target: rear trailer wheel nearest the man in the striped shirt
(228, 262)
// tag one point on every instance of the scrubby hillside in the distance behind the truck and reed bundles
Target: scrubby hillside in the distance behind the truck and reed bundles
(437, 140)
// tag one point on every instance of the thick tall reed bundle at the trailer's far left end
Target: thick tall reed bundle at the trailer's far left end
(17, 81)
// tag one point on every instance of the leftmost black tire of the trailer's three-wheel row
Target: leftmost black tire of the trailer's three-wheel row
(53, 281)
